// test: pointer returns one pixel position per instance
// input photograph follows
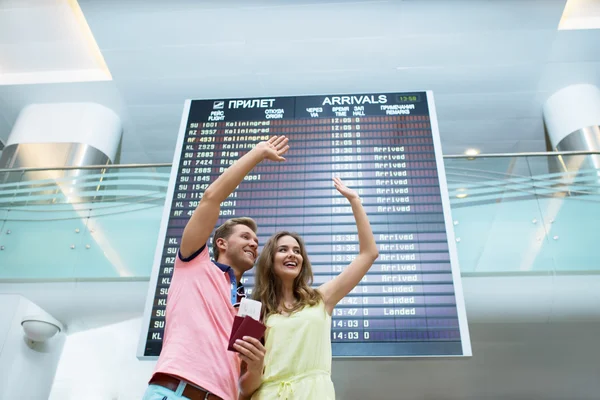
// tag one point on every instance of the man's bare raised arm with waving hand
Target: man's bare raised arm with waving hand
(204, 218)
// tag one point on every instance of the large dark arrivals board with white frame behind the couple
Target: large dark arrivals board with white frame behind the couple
(384, 145)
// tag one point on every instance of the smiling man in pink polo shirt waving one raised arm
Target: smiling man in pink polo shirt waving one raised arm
(194, 362)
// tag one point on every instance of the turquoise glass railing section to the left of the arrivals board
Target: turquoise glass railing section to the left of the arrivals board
(83, 223)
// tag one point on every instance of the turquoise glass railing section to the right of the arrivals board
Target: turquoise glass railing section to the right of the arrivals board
(525, 213)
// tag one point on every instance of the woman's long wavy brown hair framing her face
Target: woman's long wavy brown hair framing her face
(268, 287)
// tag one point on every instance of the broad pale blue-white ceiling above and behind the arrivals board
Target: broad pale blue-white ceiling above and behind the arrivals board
(491, 64)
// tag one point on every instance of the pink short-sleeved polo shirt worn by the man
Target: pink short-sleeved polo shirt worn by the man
(198, 323)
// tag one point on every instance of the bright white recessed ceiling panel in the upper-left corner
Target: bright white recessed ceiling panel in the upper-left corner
(46, 41)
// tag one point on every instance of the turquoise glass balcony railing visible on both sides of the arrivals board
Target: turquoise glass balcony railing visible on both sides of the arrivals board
(512, 214)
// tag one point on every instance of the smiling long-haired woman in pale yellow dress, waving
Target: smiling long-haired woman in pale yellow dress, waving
(298, 318)
